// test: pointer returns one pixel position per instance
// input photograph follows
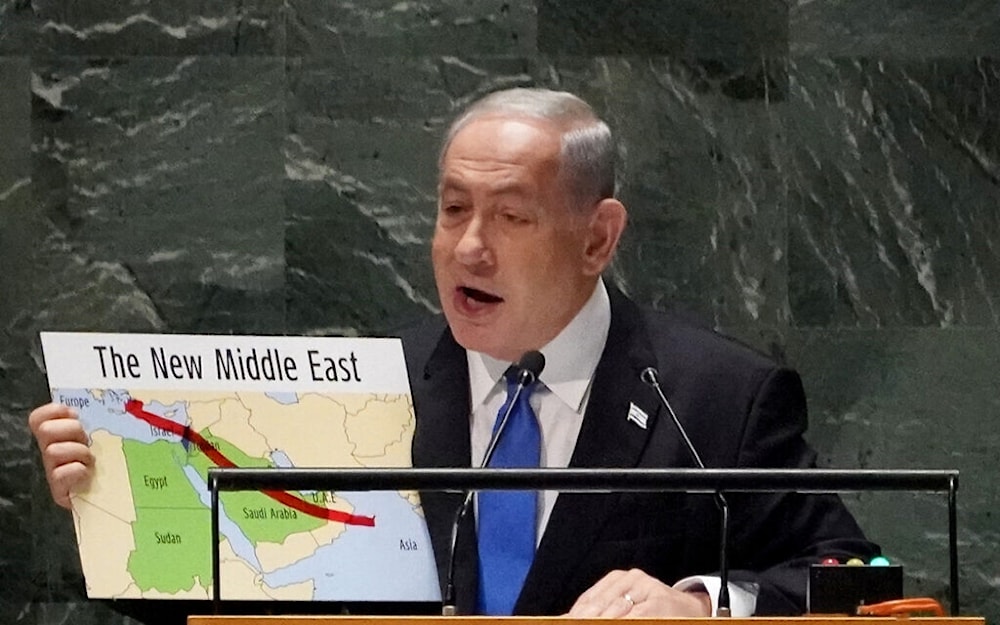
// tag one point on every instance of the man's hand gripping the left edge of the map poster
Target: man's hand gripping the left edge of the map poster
(67, 458)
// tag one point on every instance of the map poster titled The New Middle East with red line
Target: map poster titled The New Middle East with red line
(160, 410)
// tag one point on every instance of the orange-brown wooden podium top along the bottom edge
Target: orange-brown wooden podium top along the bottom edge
(554, 620)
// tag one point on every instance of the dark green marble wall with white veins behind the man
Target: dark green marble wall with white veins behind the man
(820, 178)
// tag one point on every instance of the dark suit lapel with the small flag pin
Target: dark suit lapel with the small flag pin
(608, 438)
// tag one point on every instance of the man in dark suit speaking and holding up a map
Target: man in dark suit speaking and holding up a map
(527, 223)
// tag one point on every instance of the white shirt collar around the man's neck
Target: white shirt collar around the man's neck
(570, 359)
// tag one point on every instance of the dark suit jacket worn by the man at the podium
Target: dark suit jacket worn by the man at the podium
(739, 409)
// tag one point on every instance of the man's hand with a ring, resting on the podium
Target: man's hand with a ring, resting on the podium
(634, 593)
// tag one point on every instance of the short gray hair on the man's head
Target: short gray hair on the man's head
(587, 156)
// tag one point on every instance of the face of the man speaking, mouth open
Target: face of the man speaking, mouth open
(509, 253)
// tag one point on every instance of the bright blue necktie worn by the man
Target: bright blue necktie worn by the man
(507, 519)
